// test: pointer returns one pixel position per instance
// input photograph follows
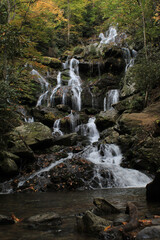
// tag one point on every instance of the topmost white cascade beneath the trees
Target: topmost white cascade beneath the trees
(109, 37)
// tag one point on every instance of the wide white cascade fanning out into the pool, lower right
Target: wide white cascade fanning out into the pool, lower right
(107, 159)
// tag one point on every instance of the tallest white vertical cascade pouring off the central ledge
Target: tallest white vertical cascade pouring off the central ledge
(75, 84)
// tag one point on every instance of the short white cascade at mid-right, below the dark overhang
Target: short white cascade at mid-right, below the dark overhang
(113, 98)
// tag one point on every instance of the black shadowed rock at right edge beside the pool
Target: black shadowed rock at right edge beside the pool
(152, 189)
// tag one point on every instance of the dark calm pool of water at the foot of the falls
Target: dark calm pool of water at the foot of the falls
(67, 205)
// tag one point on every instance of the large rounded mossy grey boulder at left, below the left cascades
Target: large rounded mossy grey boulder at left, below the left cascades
(34, 135)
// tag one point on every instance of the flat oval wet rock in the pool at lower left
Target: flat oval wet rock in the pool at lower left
(45, 221)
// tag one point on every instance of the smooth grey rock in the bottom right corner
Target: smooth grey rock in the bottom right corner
(150, 233)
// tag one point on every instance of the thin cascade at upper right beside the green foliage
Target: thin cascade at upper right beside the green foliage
(129, 56)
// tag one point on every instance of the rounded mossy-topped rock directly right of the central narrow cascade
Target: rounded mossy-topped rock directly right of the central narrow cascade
(106, 119)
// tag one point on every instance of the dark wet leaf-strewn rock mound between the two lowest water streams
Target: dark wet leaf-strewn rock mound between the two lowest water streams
(71, 174)
